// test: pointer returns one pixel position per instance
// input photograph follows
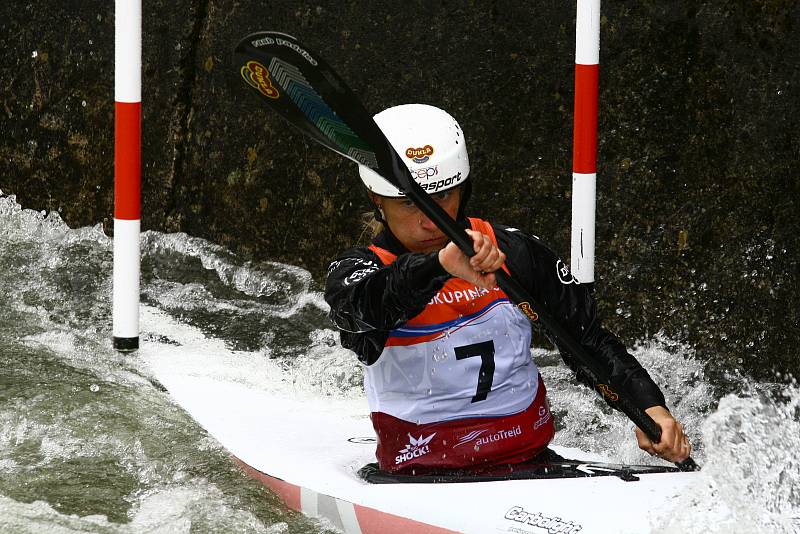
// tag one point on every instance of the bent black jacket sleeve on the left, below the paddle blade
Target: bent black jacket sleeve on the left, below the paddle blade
(369, 299)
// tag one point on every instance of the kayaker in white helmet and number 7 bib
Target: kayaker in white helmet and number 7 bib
(448, 371)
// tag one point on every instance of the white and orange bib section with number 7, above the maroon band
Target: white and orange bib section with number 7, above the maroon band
(467, 354)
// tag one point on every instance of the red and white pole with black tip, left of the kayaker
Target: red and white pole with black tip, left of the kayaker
(127, 171)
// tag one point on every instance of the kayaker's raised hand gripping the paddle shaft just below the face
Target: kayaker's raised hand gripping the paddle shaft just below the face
(478, 269)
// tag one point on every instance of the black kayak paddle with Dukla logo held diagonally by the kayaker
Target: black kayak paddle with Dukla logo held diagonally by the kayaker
(302, 88)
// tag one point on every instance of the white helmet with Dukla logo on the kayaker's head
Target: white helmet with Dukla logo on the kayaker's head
(431, 144)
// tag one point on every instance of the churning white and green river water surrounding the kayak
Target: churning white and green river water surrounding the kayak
(88, 443)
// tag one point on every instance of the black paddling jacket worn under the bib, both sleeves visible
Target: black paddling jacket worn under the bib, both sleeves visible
(369, 299)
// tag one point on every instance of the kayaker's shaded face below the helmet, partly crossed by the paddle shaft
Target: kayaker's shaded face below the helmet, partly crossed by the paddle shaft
(409, 225)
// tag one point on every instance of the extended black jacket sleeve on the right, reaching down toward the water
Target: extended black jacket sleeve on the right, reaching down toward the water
(552, 286)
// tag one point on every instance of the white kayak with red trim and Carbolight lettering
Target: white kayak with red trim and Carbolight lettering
(317, 454)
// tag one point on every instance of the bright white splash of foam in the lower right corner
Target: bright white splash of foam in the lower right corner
(750, 480)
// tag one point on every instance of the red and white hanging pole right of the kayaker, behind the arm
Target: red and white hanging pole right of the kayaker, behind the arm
(584, 148)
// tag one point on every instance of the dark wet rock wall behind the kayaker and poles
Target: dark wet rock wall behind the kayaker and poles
(698, 192)
